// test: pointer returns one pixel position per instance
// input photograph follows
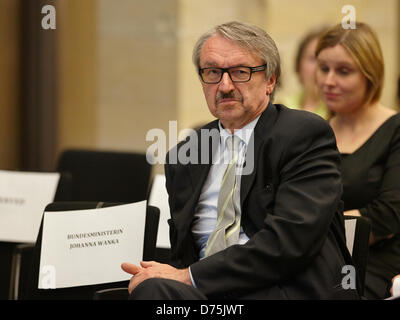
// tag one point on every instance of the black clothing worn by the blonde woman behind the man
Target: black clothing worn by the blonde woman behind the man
(371, 184)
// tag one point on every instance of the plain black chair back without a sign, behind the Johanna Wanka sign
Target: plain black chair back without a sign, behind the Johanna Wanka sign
(91, 175)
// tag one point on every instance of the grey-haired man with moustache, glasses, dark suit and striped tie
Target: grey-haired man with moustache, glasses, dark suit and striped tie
(261, 218)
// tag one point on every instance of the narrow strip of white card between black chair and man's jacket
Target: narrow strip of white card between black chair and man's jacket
(159, 198)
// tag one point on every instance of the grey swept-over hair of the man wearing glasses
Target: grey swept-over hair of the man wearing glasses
(250, 37)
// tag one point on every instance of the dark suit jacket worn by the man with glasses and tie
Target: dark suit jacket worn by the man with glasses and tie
(291, 211)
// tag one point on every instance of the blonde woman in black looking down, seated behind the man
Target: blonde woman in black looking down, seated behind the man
(350, 78)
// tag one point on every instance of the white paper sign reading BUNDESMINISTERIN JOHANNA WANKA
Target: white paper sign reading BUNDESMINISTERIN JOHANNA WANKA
(87, 247)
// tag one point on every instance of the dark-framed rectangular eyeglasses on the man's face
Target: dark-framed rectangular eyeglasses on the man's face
(237, 74)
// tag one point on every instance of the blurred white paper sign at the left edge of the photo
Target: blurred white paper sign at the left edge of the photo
(23, 198)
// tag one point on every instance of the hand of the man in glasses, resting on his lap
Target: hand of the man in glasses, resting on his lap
(152, 269)
